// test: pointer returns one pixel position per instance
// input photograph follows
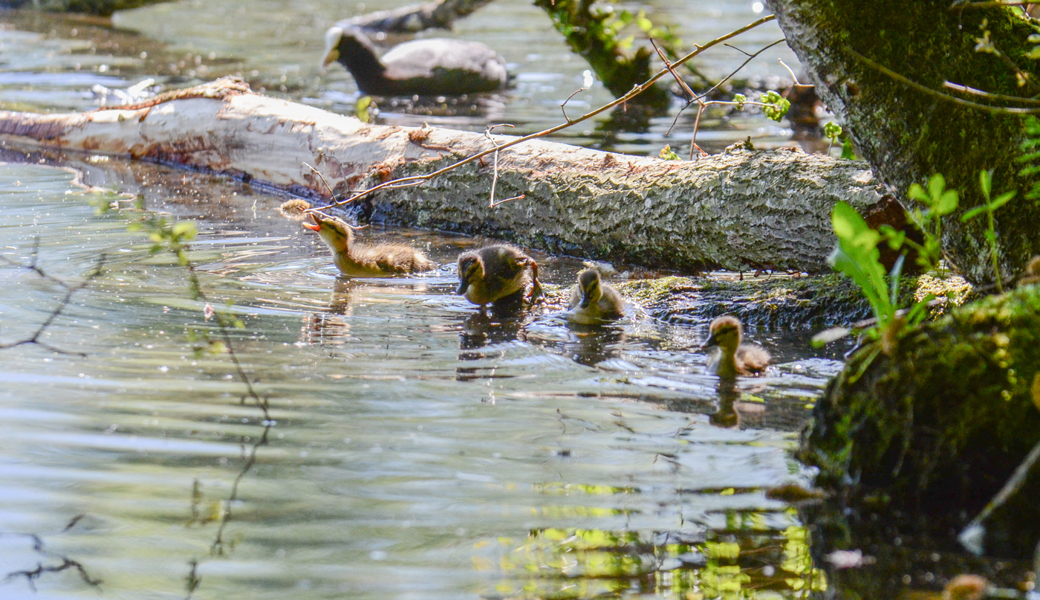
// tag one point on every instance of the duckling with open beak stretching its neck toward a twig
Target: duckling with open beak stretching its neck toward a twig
(357, 260)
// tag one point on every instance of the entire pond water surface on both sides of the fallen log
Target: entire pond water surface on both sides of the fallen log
(408, 447)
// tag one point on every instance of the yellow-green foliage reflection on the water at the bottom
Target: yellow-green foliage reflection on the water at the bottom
(739, 564)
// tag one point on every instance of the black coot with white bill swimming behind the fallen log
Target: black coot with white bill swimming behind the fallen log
(424, 67)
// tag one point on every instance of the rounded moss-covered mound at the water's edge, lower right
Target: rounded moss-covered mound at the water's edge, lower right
(933, 422)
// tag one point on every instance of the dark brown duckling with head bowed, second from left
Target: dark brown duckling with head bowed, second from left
(498, 274)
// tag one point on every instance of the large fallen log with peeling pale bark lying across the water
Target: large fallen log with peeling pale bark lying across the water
(739, 211)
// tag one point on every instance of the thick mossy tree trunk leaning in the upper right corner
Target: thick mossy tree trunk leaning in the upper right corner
(909, 125)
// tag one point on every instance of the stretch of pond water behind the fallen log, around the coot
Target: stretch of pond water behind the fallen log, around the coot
(53, 63)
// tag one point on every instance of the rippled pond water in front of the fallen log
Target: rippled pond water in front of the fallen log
(585, 459)
